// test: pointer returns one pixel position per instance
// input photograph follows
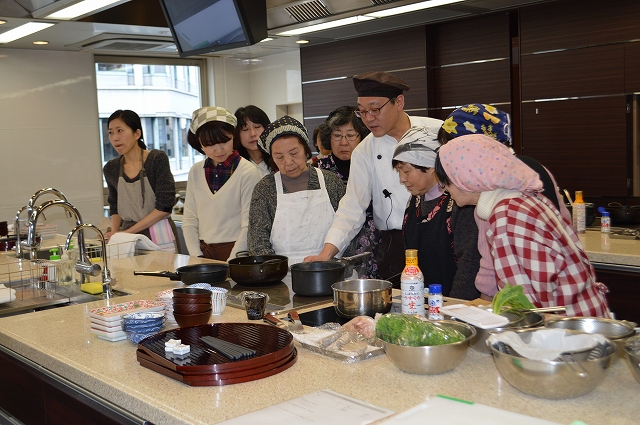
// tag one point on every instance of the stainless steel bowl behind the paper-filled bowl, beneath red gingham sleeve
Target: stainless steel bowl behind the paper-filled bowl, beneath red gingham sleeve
(618, 331)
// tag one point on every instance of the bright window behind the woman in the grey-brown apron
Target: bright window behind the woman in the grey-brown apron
(164, 93)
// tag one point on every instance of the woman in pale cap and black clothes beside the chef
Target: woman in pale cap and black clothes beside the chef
(444, 234)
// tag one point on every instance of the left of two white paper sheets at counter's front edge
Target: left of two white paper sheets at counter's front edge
(320, 407)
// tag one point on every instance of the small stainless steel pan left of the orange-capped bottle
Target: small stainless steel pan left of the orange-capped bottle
(361, 297)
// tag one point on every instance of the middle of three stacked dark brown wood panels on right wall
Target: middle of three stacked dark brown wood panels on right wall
(585, 72)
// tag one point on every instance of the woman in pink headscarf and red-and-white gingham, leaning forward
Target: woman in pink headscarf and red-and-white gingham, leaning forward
(530, 243)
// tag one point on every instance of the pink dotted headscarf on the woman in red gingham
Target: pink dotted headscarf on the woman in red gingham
(477, 163)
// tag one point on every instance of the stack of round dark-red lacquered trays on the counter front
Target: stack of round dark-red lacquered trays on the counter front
(202, 365)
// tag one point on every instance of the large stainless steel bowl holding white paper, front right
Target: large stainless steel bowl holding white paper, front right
(560, 379)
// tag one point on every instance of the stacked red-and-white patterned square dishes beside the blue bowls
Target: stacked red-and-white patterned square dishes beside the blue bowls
(106, 321)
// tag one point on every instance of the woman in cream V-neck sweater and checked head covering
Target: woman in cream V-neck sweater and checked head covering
(219, 189)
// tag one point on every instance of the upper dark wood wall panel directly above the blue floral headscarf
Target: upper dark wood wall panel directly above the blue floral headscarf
(485, 37)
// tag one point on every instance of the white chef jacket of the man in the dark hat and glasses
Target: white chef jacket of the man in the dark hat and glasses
(371, 173)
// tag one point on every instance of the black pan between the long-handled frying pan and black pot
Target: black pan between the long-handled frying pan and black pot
(258, 269)
